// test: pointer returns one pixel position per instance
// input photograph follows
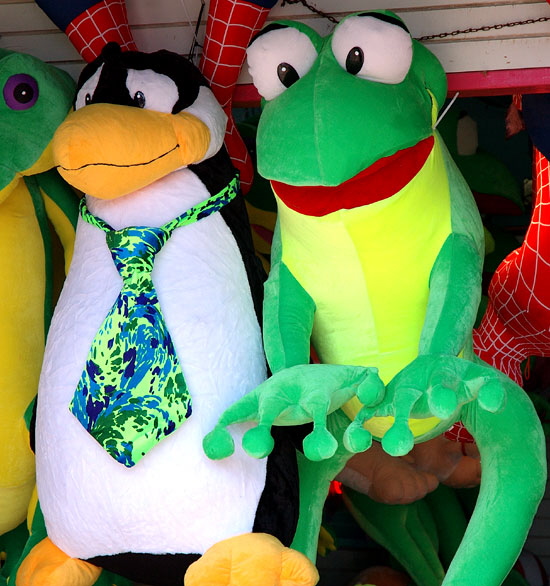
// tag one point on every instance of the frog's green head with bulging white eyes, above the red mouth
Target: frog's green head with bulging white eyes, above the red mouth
(334, 106)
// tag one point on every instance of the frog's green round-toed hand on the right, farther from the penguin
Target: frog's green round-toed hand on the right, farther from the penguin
(433, 386)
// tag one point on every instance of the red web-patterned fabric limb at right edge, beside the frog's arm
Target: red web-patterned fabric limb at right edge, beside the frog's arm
(517, 321)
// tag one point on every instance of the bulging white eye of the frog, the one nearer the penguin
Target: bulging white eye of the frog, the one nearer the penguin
(278, 57)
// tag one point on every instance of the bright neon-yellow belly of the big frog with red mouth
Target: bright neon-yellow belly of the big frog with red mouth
(368, 270)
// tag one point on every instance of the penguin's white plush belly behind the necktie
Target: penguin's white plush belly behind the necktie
(175, 500)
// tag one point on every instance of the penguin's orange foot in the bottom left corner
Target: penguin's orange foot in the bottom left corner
(47, 565)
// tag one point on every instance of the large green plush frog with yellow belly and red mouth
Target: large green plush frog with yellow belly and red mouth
(376, 262)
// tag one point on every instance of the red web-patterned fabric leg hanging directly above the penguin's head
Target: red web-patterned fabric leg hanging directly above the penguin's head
(104, 22)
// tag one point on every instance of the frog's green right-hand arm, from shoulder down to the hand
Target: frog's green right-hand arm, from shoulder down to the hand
(455, 280)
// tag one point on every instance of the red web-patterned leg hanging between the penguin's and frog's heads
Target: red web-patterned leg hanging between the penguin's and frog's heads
(230, 26)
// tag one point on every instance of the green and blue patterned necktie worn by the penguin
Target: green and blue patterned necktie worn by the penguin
(132, 392)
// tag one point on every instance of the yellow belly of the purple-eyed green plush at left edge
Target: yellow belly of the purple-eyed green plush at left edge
(21, 348)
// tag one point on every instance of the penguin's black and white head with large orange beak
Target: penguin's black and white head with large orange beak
(138, 117)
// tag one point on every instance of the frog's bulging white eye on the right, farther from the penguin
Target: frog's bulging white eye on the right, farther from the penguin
(373, 46)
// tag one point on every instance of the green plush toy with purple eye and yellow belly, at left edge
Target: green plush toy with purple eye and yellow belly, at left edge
(35, 99)
